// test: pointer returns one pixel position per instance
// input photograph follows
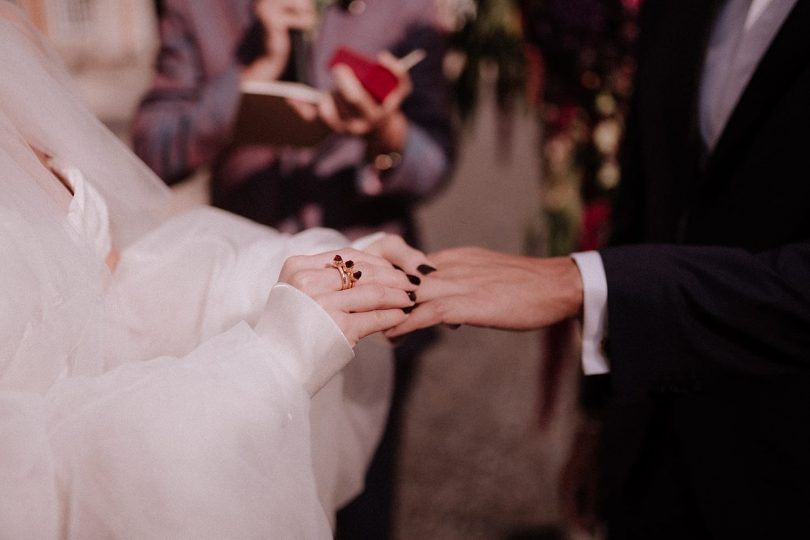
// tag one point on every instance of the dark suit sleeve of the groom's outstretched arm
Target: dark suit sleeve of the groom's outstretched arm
(681, 317)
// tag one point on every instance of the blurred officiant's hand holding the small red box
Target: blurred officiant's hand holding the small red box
(352, 110)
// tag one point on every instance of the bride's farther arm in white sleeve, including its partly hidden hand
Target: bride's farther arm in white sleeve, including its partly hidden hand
(207, 270)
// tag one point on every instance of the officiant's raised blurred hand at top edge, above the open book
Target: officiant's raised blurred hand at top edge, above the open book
(278, 17)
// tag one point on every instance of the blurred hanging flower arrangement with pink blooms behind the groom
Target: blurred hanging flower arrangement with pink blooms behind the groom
(572, 61)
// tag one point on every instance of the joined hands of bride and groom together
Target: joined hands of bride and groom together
(469, 285)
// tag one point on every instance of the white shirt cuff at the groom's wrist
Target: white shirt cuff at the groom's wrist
(594, 319)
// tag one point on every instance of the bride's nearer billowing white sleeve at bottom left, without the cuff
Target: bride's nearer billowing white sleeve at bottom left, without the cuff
(212, 445)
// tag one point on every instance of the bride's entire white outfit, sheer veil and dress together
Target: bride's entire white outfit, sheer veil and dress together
(168, 399)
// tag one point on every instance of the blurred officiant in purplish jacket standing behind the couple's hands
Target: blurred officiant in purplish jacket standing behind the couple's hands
(382, 160)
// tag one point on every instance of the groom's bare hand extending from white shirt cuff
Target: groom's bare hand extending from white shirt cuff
(480, 287)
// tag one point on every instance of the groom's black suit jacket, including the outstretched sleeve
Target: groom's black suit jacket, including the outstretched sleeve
(709, 294)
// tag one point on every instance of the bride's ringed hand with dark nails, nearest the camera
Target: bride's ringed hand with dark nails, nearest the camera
(379, 299)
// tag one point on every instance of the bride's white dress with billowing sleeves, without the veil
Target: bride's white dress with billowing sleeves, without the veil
(192, 404)
